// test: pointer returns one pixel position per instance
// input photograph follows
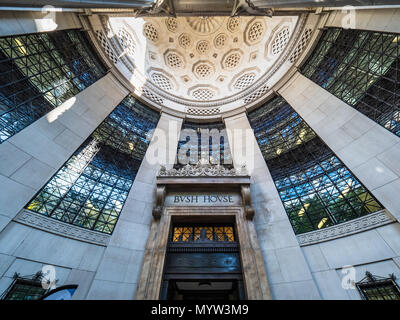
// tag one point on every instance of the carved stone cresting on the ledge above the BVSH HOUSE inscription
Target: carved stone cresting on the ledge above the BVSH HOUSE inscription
(203, 170)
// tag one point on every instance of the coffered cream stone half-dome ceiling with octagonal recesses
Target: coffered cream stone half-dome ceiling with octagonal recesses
(199, 63)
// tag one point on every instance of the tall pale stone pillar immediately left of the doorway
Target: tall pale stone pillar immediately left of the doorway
(119, 270)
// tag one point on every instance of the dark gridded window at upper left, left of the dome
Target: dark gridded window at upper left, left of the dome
(40, 71)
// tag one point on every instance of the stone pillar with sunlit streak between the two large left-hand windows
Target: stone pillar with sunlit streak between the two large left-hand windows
(29, 158)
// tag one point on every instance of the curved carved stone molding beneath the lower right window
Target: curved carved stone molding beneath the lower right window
(370, 221)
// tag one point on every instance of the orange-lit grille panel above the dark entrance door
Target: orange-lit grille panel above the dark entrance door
(203, 233)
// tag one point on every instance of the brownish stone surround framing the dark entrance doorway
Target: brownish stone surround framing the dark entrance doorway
(255, 277)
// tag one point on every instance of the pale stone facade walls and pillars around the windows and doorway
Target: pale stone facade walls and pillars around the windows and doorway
(283, 265)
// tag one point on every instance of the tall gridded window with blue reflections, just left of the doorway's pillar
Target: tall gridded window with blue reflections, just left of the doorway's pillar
(91, 188)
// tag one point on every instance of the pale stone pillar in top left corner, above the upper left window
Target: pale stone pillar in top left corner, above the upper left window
(23, 22)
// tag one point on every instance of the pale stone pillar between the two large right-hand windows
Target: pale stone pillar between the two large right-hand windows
(370, 151)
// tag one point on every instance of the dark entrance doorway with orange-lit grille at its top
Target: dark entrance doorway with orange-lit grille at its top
(203, 263)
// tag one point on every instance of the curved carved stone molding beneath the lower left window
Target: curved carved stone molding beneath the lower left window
(42, 222)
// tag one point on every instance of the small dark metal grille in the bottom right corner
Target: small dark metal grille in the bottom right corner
(378, 288)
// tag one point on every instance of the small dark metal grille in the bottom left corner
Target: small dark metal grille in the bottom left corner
(25, 288)
